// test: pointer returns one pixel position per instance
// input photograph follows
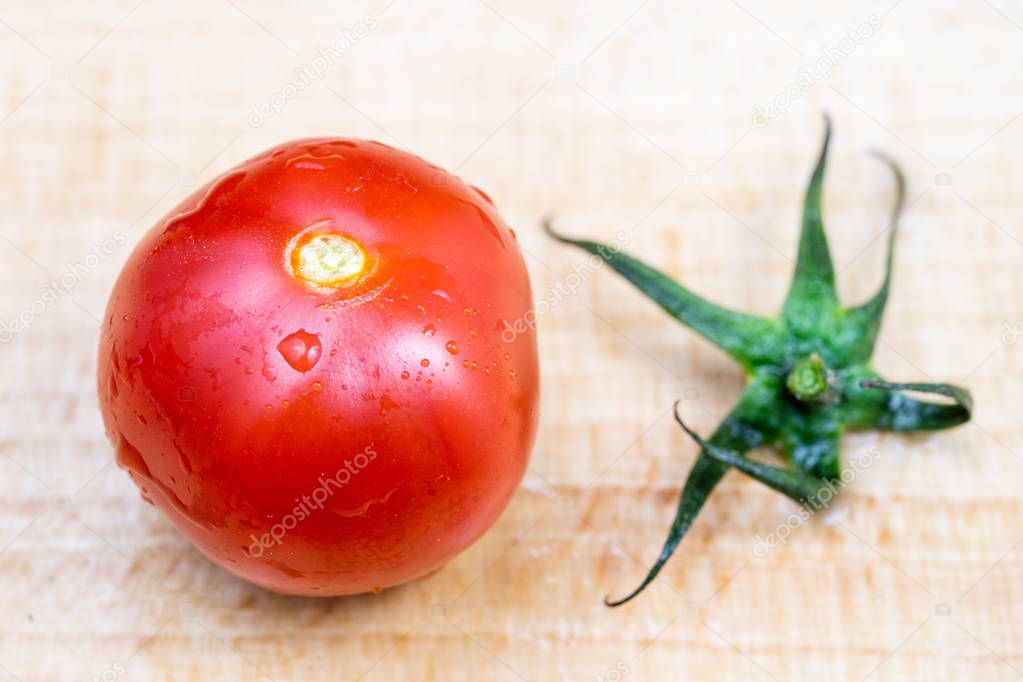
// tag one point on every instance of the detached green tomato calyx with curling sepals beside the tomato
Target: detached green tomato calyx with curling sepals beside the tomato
(793, 400)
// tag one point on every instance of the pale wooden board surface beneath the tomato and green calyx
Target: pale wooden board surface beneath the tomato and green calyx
(631, 116)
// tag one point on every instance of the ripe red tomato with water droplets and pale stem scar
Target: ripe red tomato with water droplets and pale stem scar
(317, 367)
